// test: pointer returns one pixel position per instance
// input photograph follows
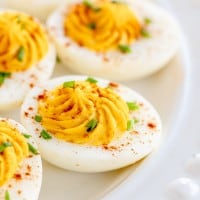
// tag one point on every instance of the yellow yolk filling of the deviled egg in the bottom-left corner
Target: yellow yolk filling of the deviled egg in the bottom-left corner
(11, 156)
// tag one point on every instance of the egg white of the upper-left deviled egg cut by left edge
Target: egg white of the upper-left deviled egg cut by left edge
(14, 88)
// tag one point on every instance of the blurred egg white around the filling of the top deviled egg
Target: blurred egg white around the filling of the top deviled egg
(148, 54)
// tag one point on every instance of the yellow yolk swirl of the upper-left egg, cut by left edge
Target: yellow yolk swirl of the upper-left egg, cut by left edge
(23, 42)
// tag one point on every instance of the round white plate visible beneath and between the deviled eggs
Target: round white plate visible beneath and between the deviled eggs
(166, 90)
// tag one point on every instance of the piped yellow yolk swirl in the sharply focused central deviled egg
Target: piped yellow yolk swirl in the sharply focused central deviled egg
(66, 113)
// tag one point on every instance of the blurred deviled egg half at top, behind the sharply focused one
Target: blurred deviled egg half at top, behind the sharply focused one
(118, 40)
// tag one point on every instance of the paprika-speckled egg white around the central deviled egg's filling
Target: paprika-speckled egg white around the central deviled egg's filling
(84, 158)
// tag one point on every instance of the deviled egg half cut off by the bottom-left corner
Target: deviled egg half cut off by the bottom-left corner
(20, 163)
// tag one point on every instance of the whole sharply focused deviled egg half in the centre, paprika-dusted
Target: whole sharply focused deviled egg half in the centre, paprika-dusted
(90, 125)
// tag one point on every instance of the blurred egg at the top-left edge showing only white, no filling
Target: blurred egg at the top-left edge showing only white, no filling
(37, 8)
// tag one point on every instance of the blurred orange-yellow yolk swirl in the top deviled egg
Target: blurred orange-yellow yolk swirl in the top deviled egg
(102, 26)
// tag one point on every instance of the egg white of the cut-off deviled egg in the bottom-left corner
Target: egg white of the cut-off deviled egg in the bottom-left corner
(28, 187)
